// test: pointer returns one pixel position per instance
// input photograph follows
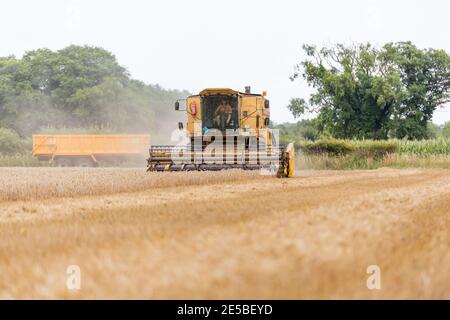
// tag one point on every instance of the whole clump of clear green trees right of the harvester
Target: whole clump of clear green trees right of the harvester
(368, 92)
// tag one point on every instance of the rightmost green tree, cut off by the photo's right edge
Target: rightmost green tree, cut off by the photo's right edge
(425, 76)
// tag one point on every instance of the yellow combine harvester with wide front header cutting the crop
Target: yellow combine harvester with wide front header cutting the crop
(225, 129)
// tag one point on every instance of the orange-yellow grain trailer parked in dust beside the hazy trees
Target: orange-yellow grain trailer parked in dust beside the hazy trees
(87, 150)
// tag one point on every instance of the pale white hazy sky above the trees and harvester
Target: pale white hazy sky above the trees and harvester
(196, 44)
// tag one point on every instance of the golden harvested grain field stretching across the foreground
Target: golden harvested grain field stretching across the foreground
(225, 234)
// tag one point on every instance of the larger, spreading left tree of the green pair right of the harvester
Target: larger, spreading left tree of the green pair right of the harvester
(355, 94)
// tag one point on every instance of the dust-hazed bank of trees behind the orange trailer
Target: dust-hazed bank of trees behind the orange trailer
(79, 87)
